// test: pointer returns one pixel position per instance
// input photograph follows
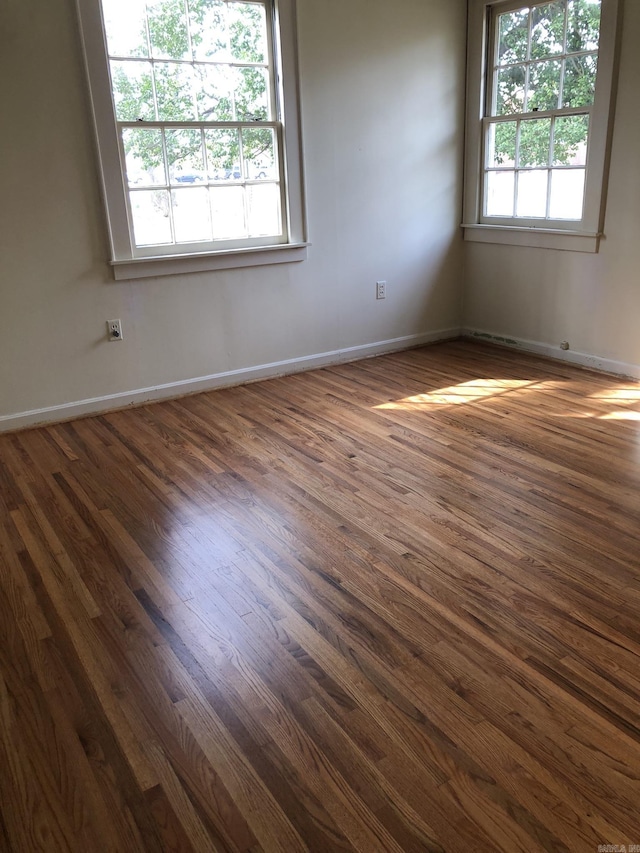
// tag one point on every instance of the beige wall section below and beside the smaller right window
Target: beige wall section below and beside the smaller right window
(592, 301)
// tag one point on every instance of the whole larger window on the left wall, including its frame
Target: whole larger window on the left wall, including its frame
(195, 106)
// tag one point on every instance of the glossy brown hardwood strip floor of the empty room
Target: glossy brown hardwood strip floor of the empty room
(386, 606)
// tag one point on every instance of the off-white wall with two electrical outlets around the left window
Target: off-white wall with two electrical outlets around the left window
(382, 88)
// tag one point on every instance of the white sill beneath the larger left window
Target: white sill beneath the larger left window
(159, 265)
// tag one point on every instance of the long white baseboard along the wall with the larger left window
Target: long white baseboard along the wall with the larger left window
(172, 390)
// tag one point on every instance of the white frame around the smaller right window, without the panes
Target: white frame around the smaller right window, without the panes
(575, 235)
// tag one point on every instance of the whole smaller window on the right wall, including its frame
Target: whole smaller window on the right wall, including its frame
(537, 145)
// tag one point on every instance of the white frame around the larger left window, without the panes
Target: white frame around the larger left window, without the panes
(130, 262)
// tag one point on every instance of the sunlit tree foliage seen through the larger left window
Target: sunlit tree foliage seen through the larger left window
(198, 74)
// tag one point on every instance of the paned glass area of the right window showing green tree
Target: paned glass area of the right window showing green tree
(545, 62)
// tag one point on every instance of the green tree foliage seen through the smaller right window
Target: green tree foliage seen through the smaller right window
(542, 43)
